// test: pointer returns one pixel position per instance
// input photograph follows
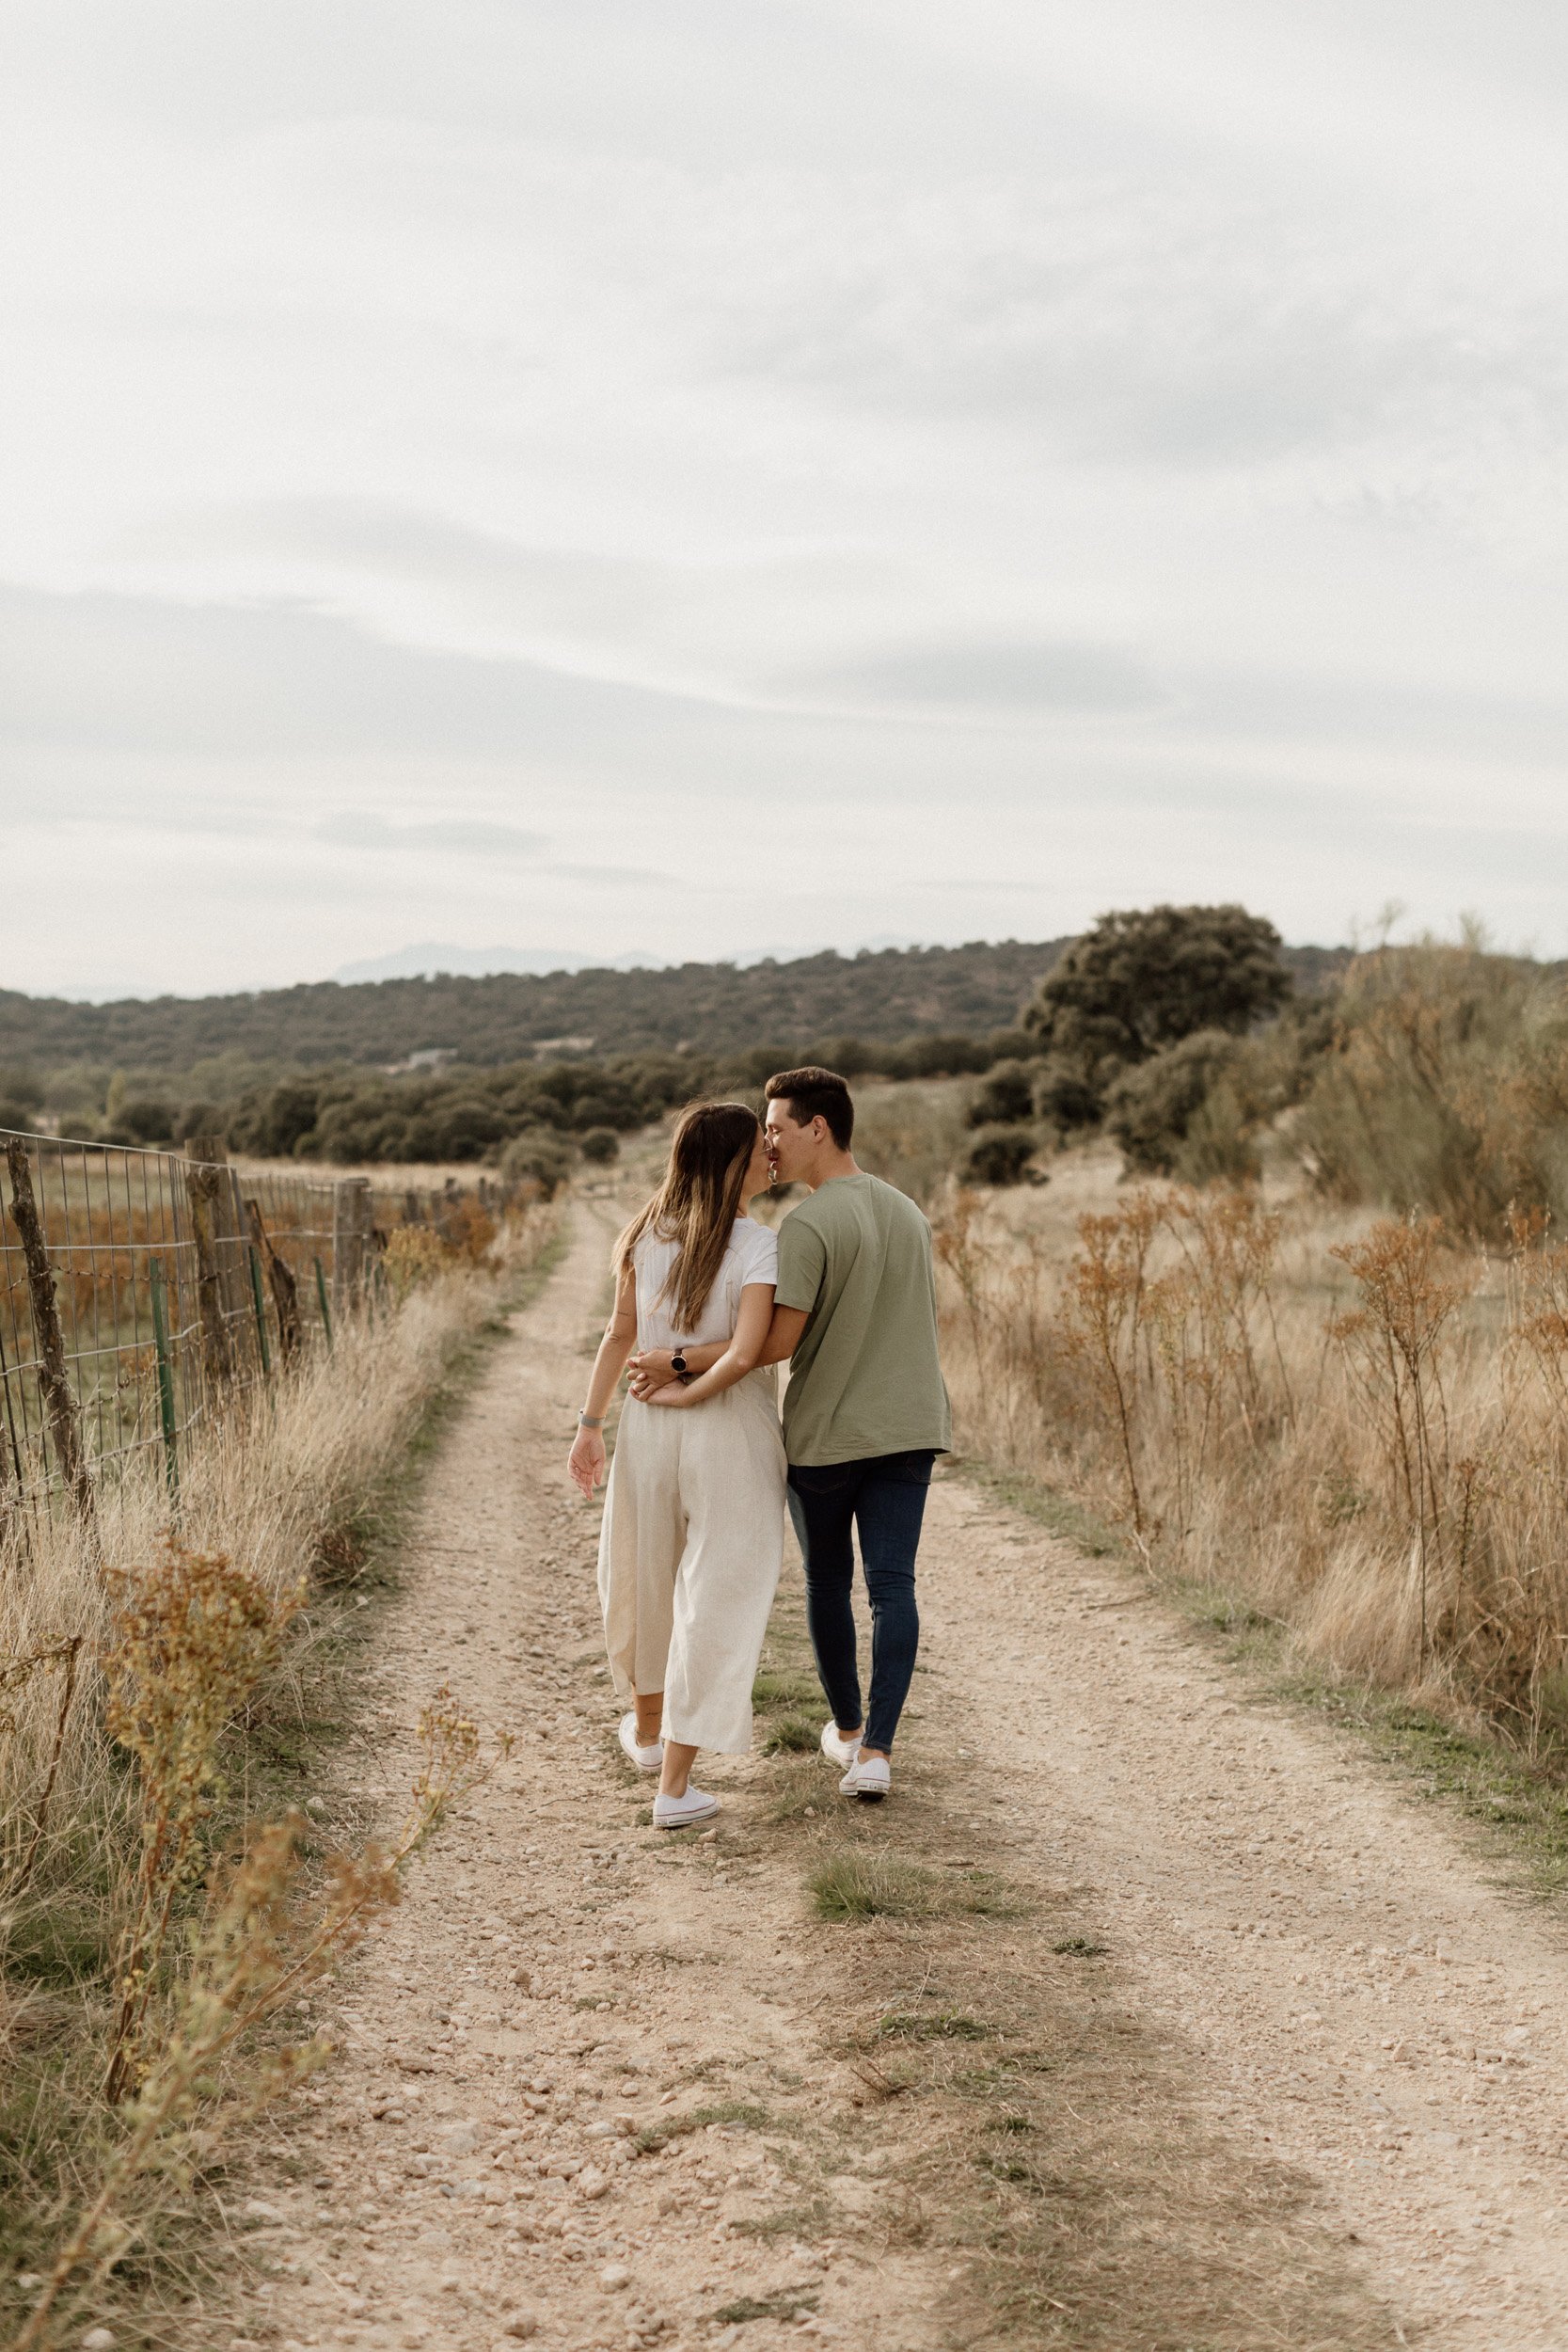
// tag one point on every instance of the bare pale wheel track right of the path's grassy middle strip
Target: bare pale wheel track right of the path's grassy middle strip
(1360, 2003)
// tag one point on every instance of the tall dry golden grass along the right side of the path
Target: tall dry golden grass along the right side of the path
(1358, 1424)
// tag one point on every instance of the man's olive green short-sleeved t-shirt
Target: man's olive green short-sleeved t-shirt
(866, 1377)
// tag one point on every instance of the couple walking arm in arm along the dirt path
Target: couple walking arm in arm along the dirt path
(706, 1307)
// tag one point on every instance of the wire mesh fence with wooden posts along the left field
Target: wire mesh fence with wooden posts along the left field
(140, 1290)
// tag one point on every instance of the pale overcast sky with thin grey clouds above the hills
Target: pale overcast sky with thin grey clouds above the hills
(612, 476)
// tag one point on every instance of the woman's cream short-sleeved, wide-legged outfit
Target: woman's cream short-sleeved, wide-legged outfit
(692, 1535)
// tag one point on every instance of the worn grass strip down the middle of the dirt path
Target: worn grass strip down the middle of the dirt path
(1017, 2123)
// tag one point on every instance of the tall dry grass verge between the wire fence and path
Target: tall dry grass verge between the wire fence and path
(147, 1911)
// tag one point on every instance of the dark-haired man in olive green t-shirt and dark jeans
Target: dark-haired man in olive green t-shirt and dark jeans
(866, 1410)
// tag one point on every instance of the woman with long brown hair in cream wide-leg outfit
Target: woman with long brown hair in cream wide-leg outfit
(692, 1537)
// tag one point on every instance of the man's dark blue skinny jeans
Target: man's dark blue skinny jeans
(885, 1499)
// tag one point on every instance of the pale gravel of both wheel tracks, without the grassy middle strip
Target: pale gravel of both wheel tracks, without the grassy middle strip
(596, 2085)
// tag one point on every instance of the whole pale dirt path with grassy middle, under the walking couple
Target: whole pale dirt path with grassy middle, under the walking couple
(1179, 2029)
